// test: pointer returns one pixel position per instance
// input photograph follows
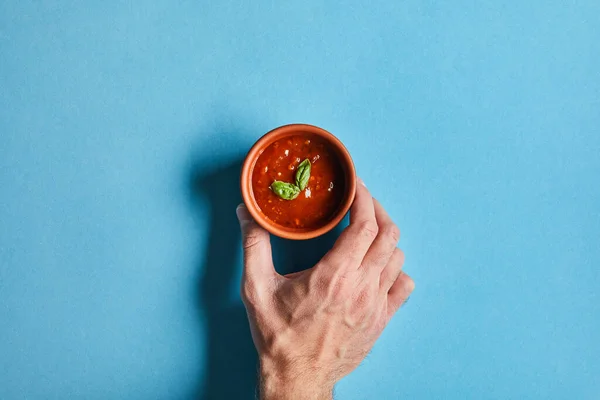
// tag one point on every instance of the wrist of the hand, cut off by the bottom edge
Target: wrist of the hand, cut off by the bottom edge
(287, 382)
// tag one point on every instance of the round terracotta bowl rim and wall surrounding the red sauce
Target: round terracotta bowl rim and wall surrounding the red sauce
(248, 168)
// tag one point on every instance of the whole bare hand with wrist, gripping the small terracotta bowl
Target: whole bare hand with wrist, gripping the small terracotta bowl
(313, 327)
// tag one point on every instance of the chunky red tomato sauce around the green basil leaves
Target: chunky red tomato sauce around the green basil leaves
(315, 205)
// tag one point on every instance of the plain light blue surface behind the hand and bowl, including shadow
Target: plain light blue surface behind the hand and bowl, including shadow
(476, 123)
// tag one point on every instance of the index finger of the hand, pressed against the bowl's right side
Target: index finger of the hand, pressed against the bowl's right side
(352, 245)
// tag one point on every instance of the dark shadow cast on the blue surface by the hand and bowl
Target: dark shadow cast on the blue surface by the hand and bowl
(232, 360)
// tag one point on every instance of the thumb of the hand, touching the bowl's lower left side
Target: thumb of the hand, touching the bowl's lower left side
(258, 260)
